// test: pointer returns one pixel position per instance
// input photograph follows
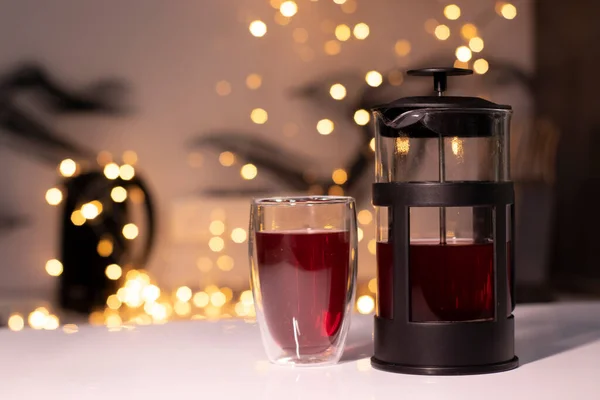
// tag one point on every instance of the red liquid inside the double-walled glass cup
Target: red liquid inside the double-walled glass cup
(303, 278)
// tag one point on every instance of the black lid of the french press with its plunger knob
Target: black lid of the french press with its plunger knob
(435, 116)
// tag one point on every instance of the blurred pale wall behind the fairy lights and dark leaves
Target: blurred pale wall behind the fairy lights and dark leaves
(172, 53)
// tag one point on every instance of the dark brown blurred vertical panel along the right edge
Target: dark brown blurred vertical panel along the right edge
(567, 94)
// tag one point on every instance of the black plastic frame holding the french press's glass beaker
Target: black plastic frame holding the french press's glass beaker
(445, 348)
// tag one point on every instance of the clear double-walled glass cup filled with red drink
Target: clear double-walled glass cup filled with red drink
(303, 253)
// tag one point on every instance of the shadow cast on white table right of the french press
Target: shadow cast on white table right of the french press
(543, 333)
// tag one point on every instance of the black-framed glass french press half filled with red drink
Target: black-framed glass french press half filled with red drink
(445, 234)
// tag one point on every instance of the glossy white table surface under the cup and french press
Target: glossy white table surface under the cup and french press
(559, 348)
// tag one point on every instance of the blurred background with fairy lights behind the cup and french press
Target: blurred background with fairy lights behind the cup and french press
(133, 135)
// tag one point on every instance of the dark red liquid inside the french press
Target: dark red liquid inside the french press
(453, 282)
